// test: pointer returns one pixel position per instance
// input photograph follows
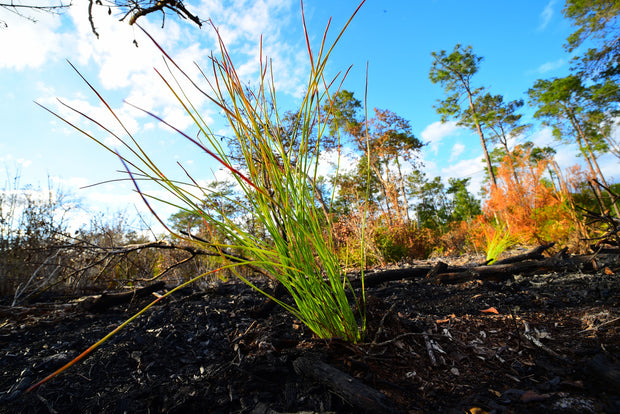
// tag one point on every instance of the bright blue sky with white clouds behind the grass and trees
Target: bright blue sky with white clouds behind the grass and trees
(520, 42)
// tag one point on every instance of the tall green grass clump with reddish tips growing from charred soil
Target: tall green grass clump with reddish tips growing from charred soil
(275, 171)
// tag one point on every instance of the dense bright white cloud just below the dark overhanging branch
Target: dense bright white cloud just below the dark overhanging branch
(123, 66)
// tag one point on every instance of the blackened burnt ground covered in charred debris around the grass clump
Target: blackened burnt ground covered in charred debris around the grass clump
(552, 346)
